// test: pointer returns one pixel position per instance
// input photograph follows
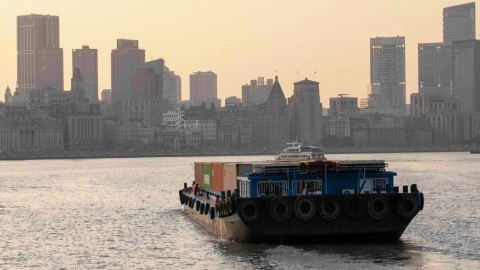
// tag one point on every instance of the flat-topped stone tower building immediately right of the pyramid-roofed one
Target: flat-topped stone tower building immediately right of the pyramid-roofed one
(306, 112)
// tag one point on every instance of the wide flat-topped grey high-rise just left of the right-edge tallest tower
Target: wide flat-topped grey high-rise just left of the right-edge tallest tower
(435, 68)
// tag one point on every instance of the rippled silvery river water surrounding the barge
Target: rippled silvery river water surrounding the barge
(125, 214)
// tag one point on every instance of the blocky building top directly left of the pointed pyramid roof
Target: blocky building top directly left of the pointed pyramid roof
(257, 92)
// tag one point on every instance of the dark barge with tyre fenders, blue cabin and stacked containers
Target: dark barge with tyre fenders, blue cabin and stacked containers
(301, 201)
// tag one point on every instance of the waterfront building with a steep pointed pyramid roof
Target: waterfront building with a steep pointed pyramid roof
(270, 120)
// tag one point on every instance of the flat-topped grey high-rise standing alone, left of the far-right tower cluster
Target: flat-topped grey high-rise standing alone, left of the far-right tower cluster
(387, 70)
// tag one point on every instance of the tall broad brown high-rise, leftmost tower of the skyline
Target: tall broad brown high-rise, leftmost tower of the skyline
(39, 56)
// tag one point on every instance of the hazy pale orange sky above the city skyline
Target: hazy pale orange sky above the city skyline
(238, 40)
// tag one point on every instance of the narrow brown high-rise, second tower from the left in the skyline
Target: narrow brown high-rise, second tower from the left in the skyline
(86, 60)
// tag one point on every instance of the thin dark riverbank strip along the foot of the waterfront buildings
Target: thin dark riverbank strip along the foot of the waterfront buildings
(138, 154)
